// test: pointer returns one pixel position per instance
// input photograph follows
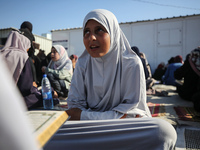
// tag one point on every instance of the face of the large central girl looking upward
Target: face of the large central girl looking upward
(96, 39)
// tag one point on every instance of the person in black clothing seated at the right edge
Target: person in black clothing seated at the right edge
(190, 71)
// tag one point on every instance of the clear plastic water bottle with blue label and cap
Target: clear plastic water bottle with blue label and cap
(46, 93)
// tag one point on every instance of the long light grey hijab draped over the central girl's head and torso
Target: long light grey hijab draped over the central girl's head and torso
(113, 82)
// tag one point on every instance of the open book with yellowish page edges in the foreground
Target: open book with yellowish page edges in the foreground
(45, 123)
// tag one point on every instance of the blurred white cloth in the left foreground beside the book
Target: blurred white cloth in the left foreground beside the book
(15, 130)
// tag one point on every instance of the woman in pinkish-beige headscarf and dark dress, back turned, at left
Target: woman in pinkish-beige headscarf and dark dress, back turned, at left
(16, 57)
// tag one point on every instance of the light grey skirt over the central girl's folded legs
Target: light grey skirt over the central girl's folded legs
(124, 134)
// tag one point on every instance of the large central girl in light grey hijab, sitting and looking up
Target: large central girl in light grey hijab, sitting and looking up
(108, 84)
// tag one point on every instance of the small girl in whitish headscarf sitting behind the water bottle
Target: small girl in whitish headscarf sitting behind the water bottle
(59, 71)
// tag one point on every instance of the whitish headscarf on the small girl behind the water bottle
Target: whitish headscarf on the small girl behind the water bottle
(63, 62)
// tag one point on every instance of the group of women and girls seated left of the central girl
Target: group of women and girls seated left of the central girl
(28, 69)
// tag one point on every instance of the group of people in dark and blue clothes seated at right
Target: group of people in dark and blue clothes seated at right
(184, 75)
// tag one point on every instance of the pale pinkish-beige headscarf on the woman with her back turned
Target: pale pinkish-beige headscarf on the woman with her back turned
(15, 53)
